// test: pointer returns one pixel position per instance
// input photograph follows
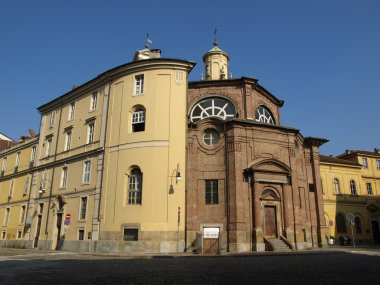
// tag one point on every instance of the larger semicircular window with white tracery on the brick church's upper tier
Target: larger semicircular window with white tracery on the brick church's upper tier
(213, 107)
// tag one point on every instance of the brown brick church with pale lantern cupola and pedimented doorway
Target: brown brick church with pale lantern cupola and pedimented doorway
(252, 184)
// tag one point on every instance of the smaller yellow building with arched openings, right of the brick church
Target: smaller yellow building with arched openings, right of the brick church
(351, 185)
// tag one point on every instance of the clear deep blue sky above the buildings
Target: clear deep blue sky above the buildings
(321, 57)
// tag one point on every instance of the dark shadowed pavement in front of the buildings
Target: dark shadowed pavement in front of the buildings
(320, 266)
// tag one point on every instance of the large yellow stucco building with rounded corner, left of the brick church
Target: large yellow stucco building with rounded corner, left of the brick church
(106, 172)
